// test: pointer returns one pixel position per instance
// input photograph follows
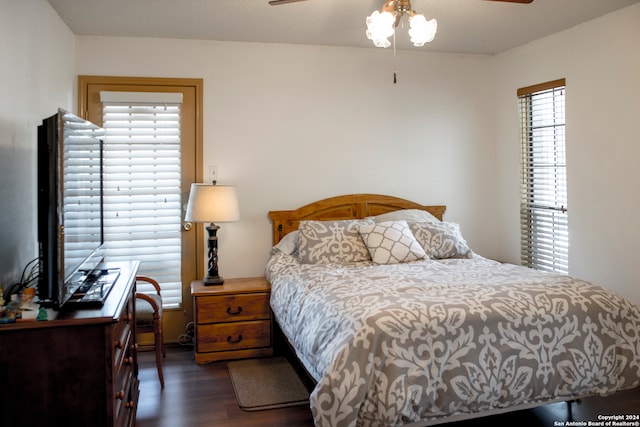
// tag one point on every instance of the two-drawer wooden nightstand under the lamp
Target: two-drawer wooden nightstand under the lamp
(232, 321)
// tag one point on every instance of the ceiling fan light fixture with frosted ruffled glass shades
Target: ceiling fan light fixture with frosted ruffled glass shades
(382, 24)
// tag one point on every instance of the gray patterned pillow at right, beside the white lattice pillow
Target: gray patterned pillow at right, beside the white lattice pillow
(441, 239)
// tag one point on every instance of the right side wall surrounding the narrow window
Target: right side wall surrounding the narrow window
(601, 63)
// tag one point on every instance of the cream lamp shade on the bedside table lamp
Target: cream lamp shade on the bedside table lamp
(212, 203)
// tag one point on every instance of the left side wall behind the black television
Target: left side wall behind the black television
(37, 75)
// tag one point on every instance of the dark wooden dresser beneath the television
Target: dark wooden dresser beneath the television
(79, 369)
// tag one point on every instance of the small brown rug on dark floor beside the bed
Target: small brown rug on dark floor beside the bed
(270, 383)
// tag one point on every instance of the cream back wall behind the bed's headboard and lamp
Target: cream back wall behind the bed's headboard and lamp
(292, 124)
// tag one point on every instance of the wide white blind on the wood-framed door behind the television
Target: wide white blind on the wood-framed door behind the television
(142, 199)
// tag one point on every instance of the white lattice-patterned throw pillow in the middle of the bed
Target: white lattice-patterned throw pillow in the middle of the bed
(391, 242)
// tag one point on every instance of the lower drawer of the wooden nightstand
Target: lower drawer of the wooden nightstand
(233, 336)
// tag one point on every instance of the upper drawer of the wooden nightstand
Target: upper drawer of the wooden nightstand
(232, 308)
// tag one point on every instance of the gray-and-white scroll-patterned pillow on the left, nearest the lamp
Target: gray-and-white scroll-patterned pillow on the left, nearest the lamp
(323, 242)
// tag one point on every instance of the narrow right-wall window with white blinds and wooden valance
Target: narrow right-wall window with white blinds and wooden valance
(543, 209)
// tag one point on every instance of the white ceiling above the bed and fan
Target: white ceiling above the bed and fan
(464, 26)
